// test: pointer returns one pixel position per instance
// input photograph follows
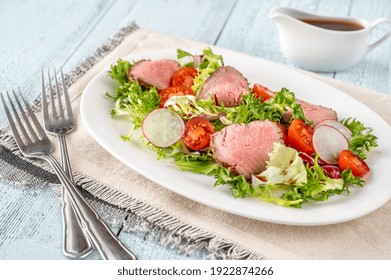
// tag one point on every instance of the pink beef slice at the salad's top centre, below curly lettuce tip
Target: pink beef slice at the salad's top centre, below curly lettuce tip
(226, 86)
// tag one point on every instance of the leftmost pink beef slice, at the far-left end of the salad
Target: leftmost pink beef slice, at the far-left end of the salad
(157, 73)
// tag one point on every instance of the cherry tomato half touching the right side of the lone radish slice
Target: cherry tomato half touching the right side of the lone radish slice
(197, 134)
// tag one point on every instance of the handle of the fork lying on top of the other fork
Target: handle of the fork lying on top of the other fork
(108, 245)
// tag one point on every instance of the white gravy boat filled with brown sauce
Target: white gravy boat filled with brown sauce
(319, 49)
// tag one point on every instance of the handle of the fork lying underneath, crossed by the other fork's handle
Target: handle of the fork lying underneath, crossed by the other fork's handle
(76, 243)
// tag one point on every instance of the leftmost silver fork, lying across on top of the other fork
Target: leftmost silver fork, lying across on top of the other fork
(34, 143)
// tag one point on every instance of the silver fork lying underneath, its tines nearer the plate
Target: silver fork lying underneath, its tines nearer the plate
(76, 243)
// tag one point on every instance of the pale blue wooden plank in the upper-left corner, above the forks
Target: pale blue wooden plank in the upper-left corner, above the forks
(40, 33)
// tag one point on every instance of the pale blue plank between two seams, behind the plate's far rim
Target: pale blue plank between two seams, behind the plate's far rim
(199, 26)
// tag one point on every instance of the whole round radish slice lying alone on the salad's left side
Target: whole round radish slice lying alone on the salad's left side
(163, 127)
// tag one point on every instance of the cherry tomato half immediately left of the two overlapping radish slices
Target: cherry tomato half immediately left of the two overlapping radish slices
(300, 136)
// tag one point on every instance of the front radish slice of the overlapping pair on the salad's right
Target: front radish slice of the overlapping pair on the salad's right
(328, 143)
